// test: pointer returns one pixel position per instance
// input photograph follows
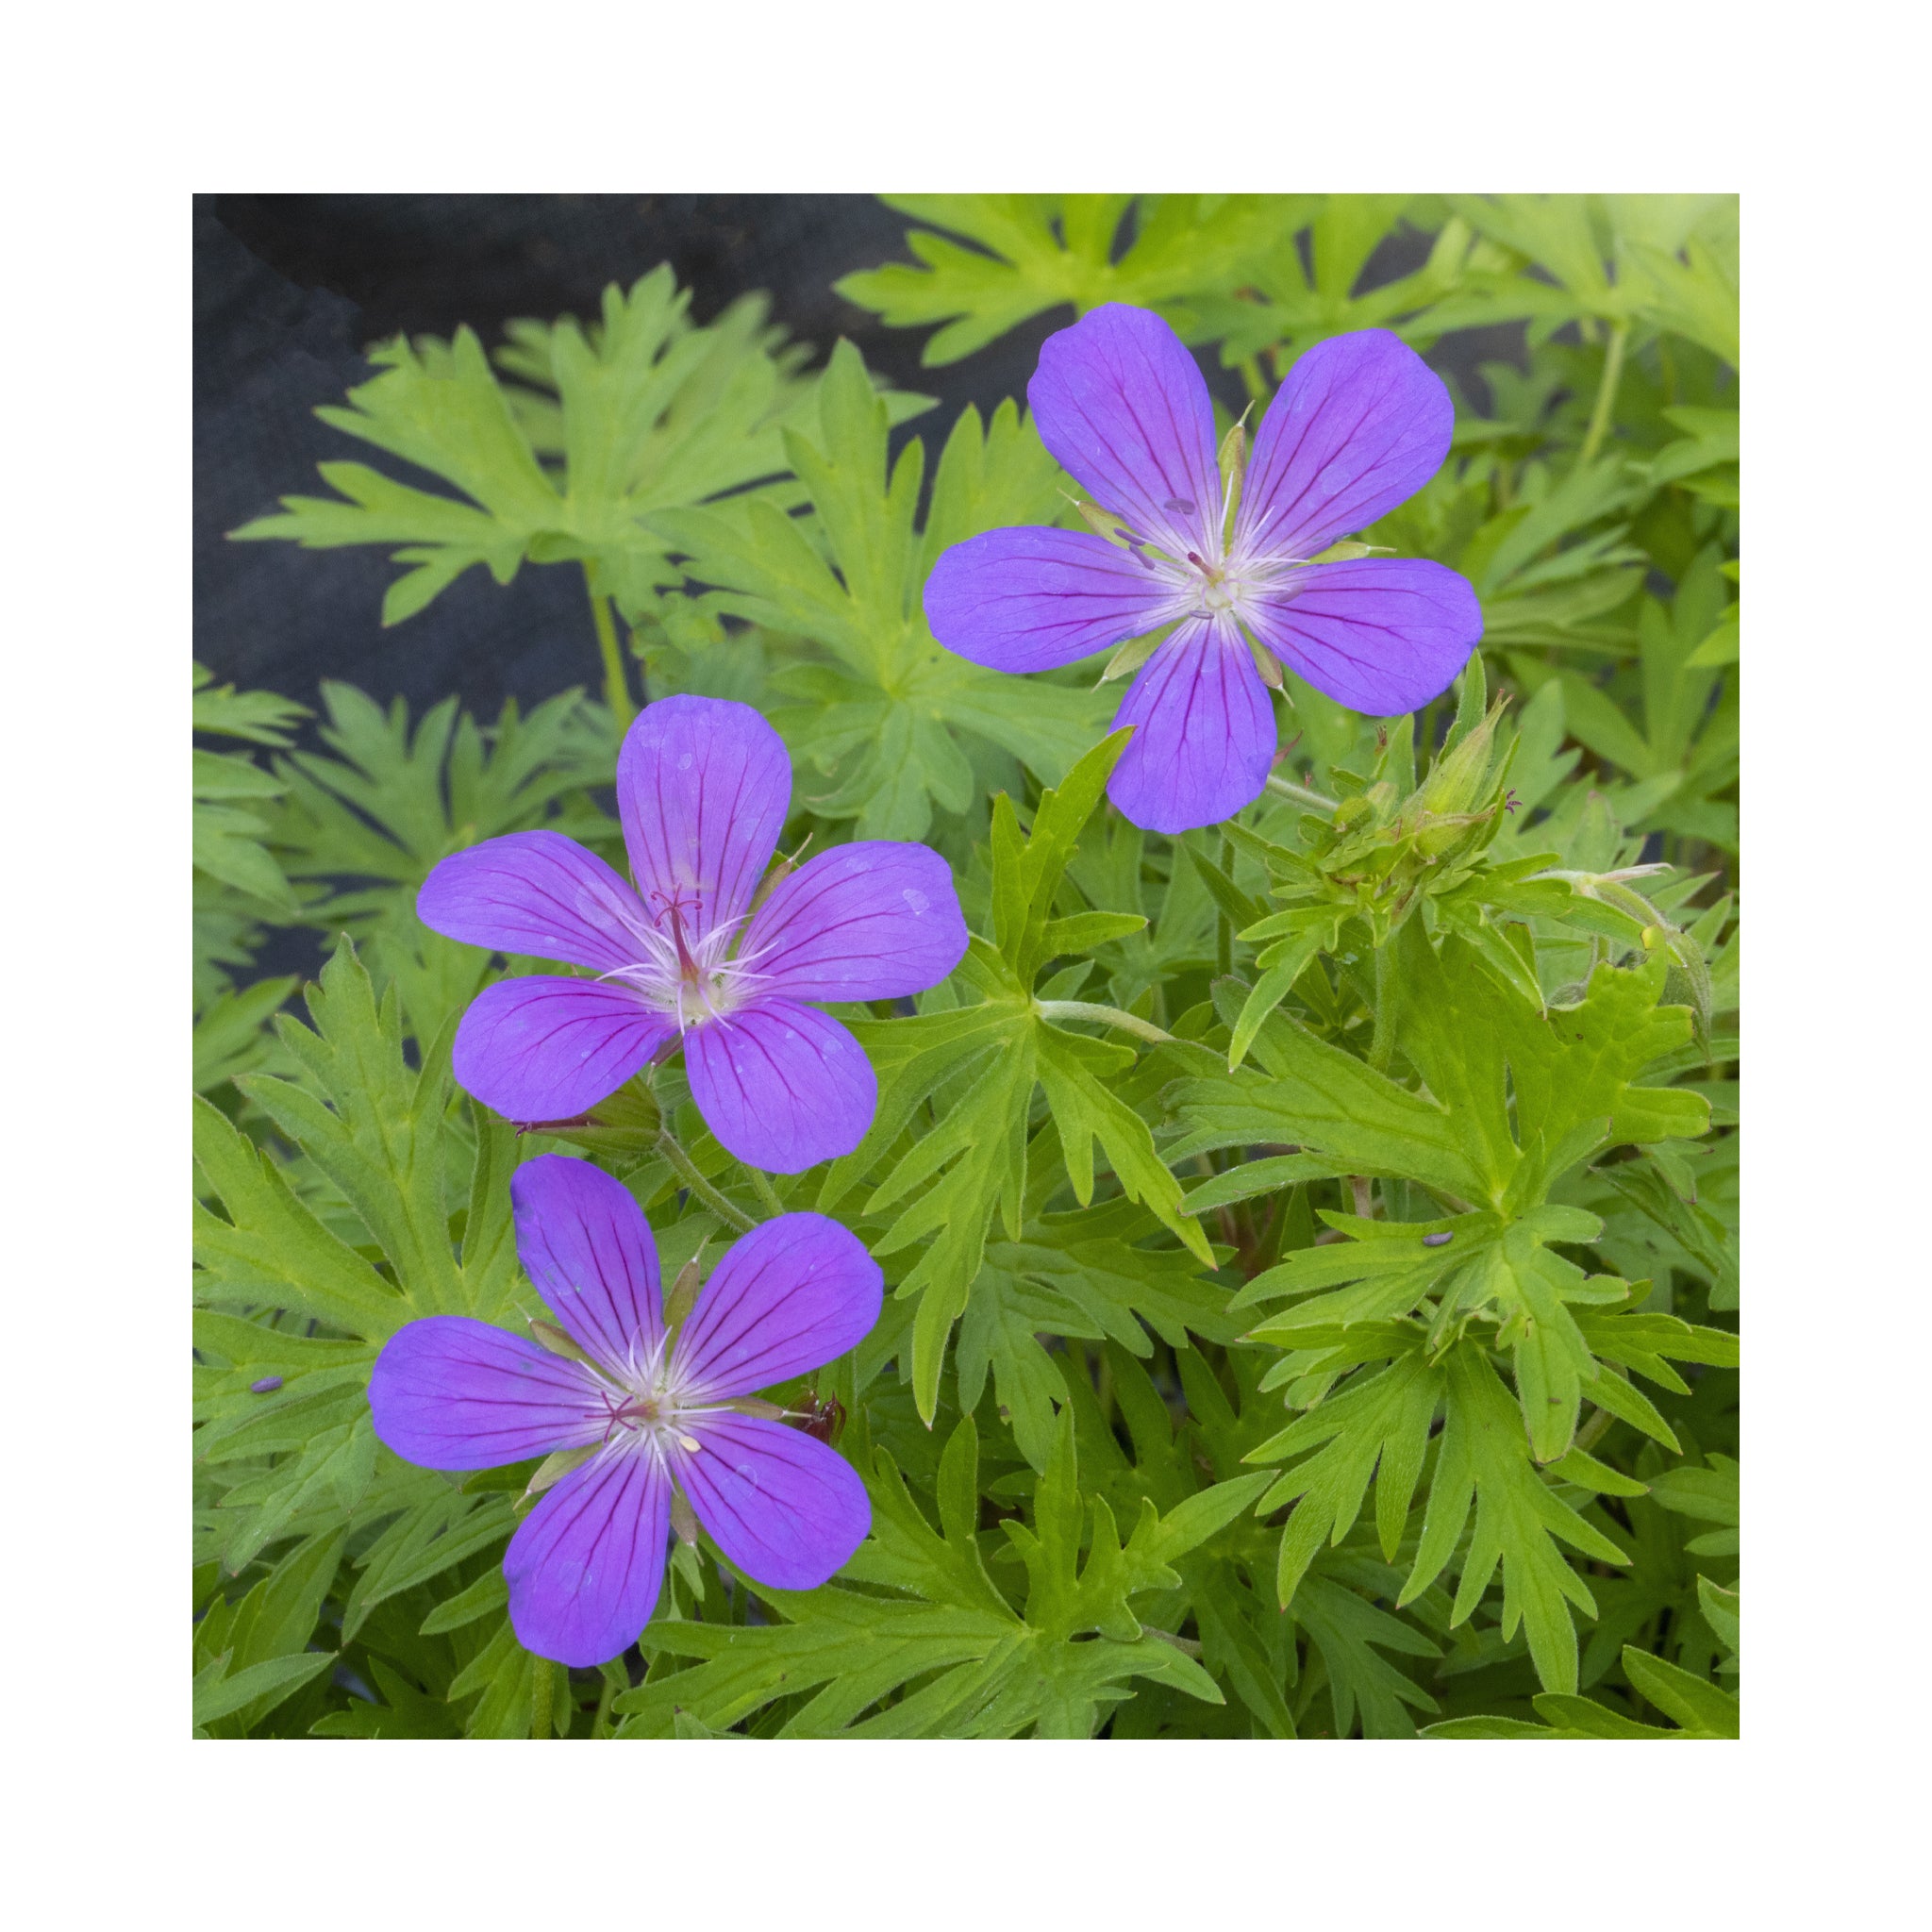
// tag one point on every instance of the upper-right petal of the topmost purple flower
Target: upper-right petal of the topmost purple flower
(1357, 428)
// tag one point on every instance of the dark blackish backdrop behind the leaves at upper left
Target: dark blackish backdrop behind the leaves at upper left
(293, 289)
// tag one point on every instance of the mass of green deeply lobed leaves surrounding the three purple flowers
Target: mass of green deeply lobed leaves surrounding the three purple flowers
(1311, 1243)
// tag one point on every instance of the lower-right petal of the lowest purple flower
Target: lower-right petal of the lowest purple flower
(783, 1508)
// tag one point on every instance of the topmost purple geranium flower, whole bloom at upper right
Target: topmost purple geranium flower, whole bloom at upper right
(1359, 426)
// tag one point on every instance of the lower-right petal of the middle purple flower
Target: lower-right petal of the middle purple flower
(783, 1087)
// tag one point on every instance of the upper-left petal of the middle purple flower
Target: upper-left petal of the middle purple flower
(536, 894)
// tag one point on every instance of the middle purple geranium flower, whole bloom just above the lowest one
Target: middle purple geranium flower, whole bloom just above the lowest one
(702, 791)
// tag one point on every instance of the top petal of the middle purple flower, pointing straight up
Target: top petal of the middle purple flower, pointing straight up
(702, 787)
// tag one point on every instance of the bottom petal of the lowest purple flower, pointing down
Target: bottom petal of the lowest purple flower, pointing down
(588, 1562)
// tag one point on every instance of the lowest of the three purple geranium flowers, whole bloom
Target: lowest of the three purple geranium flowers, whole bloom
(646, 1411)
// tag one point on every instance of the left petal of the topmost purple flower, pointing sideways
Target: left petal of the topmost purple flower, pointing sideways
(1035, 600)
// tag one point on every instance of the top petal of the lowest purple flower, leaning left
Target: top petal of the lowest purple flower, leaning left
(586, 1245)
